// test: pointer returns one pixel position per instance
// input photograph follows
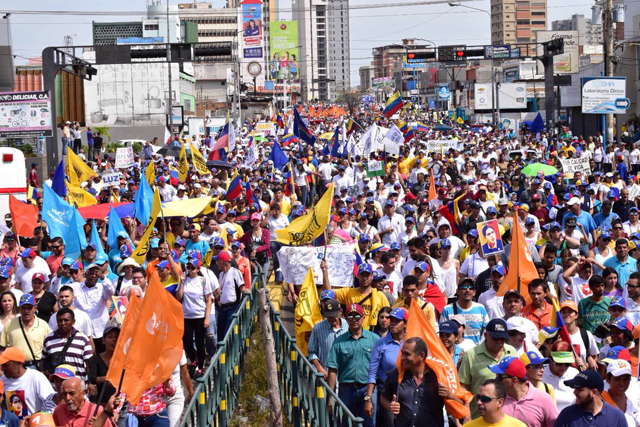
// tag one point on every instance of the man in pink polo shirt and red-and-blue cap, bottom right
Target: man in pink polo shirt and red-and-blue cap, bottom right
(524, 401)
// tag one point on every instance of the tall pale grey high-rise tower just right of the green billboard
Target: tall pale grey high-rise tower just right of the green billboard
(323, 34)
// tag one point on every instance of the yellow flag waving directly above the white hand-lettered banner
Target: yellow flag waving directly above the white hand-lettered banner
(309, 226)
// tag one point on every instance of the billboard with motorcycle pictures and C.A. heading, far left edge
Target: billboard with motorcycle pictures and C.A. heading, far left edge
(25, 114)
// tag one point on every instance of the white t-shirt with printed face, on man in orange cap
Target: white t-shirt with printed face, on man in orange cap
(28, 394)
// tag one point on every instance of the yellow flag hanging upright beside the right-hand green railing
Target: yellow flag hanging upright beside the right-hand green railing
(307, 311)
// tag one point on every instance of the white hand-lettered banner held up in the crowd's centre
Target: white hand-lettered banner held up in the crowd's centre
(295, 261)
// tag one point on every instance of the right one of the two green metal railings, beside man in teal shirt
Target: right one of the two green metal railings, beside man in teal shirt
(303, 390)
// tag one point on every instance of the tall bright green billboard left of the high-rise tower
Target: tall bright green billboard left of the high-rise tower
(284, 61)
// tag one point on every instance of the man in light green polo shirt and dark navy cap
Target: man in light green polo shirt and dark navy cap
(474, 367)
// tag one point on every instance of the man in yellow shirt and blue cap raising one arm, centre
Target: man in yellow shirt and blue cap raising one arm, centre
(369, 298)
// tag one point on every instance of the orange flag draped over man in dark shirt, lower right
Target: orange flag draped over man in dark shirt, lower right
(438, 359)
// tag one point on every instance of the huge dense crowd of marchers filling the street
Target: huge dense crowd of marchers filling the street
(512, 353)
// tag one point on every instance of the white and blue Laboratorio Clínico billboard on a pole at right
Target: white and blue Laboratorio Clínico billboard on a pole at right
(604, 95)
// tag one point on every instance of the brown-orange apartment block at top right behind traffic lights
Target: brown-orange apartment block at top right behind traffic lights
(518, 21)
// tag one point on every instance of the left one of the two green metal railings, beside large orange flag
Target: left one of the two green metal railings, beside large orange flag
(216, 393)
